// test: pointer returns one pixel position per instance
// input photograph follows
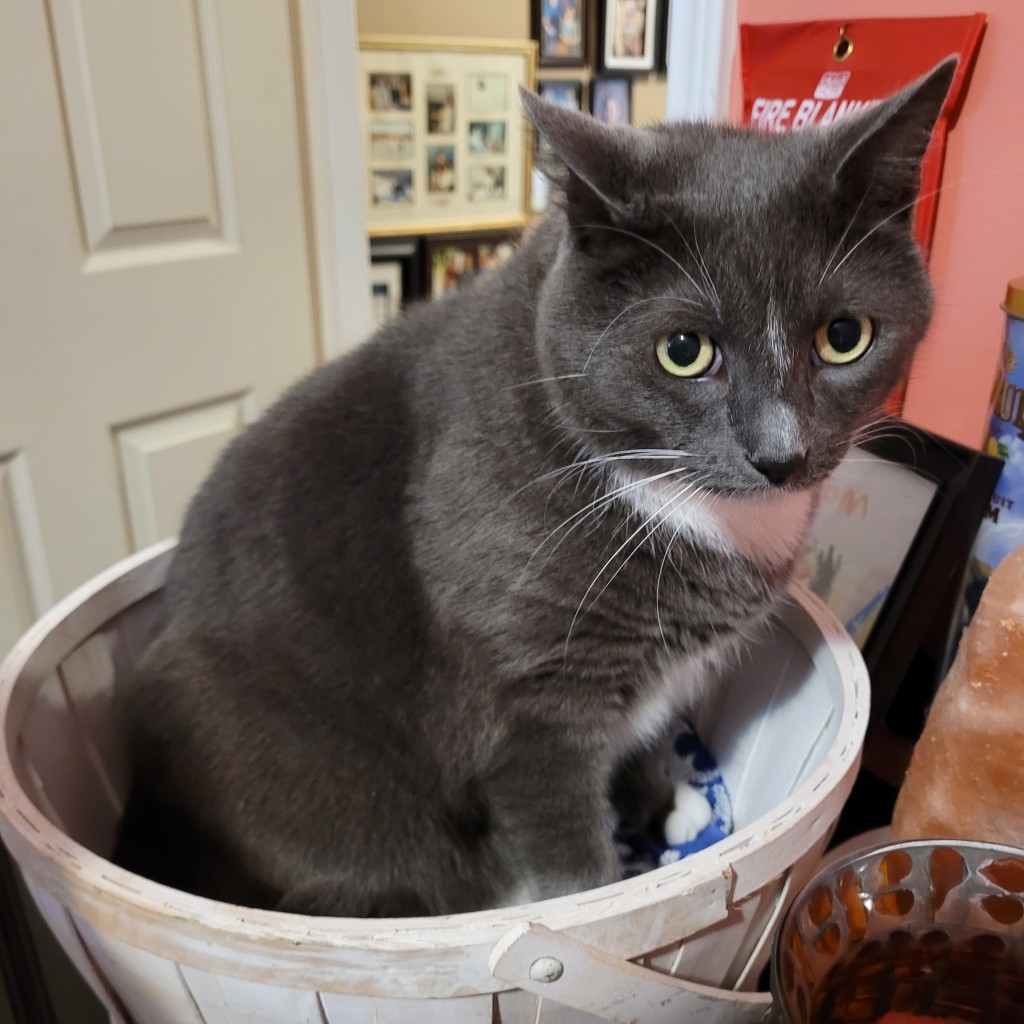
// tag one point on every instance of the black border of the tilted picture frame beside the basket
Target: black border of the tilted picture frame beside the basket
(907, 649)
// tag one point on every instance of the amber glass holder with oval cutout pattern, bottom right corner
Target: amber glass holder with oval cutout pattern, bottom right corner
(933, 928)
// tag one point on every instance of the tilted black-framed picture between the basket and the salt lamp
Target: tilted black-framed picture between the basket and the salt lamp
(888, 553)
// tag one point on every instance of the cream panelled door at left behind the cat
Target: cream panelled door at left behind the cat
(157, 279)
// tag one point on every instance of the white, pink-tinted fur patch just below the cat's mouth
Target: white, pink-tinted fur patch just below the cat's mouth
(769, 526)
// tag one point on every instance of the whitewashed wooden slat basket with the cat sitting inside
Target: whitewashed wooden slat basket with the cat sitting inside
(788, 732)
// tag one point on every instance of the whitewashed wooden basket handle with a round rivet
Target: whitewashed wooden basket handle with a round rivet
(574, 974)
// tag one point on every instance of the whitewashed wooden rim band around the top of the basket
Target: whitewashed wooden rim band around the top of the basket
(713, 871)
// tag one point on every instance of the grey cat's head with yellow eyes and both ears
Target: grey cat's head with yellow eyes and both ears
(748, 298)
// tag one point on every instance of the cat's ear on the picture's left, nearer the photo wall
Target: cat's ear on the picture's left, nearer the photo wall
(592, 164)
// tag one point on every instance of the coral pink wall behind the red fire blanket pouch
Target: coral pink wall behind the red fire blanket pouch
(979, 234)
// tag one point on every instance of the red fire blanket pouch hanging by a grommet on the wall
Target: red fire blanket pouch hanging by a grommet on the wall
(816, 73)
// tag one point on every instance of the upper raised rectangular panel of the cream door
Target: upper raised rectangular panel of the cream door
(160, 188)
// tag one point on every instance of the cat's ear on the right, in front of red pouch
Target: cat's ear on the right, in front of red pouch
(882, 150)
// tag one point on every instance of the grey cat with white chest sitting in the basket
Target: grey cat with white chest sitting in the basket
(429, 615)
